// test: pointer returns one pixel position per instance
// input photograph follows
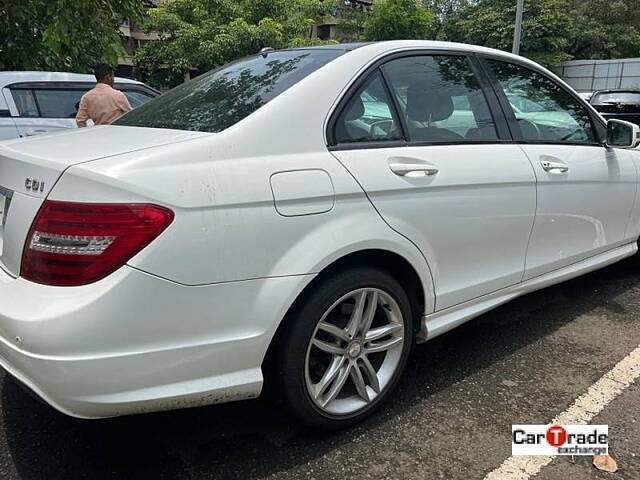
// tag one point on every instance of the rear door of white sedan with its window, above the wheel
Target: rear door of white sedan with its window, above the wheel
(419, 136)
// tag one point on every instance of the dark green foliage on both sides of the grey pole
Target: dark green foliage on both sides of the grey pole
(553, 30)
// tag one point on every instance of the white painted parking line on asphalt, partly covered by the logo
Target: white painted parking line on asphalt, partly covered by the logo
(587, 406)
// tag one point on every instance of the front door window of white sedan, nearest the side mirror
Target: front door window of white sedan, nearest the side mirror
(545, 112)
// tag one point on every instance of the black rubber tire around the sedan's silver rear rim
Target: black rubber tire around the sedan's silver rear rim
(292, 391)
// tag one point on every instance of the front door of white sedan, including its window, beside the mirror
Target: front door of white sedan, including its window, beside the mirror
(585, 191)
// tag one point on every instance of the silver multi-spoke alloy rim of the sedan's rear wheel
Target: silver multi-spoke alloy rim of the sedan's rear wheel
(354, 351)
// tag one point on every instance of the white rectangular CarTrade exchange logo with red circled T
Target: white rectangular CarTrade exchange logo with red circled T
(559, 440)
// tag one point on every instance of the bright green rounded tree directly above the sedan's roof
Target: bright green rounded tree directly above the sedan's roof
(398, 19)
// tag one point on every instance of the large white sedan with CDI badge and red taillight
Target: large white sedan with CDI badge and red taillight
(297, 220)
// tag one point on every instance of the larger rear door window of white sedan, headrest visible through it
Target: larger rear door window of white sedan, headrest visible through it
(441, 99)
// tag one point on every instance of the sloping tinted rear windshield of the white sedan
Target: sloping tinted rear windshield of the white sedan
(222, 97)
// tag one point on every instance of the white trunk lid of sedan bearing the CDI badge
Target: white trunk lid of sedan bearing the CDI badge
(29, 168)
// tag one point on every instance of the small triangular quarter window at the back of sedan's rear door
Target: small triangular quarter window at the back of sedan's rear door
(368, 115)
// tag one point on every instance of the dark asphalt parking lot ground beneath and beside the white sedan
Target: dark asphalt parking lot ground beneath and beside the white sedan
(451, 417)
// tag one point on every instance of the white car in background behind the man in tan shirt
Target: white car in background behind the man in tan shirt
(32, 103)
